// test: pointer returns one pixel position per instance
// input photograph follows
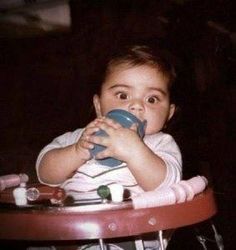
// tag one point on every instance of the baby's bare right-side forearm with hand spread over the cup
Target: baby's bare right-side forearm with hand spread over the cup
(147, 166)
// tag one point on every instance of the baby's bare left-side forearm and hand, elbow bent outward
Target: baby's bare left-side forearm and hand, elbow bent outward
(59, 163)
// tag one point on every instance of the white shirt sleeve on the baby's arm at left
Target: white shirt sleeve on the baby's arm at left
(61, 141)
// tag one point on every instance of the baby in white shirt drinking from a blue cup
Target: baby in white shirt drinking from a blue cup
(137, 80)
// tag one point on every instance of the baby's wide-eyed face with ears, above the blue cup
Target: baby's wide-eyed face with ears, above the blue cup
(141, 90)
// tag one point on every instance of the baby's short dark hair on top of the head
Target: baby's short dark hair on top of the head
(139, 55)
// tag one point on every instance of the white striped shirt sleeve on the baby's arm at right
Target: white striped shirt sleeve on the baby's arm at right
(165, 147)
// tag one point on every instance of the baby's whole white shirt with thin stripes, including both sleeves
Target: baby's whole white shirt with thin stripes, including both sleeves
(92, 174)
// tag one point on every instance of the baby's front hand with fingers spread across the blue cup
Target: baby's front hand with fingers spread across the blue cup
(119, 141)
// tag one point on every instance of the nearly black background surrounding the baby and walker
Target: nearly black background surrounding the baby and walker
(46, 85)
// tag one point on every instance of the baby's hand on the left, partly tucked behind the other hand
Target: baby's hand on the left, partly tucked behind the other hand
(84, 143)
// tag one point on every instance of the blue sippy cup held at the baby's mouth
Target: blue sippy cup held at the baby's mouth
(126, 119)
